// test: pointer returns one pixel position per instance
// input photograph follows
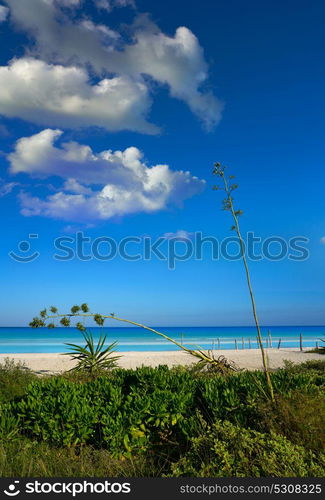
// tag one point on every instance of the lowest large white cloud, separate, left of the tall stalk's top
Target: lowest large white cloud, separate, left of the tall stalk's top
(96, 186)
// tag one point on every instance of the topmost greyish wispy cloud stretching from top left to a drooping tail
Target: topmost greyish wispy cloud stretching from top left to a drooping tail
(175, 61)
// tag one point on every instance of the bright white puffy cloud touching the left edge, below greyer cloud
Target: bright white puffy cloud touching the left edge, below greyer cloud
(62, 96)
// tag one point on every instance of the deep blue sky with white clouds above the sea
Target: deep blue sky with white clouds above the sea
(186, 84)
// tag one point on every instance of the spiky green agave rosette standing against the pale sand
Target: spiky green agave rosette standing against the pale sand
(93, 358)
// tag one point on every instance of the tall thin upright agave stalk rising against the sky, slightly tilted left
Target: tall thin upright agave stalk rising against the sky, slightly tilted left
(228, 205)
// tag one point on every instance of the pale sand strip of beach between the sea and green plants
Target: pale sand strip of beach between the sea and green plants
(249, 359)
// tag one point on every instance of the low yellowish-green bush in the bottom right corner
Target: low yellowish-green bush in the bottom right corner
(228, 450)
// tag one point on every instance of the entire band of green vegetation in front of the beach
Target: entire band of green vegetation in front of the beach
(162, 422)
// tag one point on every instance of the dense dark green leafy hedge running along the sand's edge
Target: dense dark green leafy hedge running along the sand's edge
(157, 409)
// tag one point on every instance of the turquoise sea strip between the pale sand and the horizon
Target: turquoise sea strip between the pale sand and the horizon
(20, 340)
